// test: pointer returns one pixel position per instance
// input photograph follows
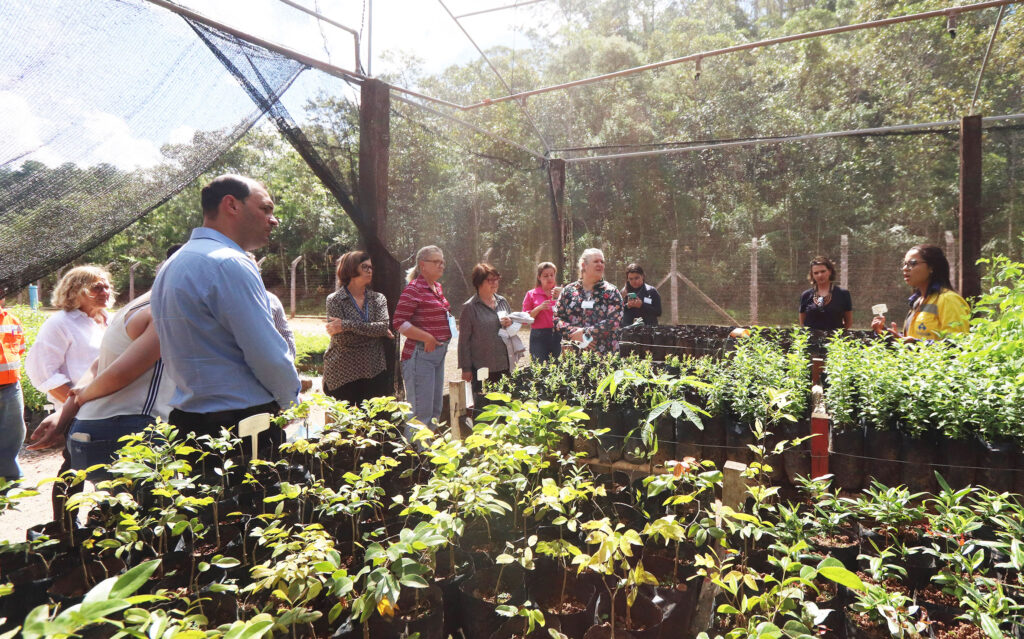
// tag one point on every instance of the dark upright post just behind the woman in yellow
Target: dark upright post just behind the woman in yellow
(970, 206)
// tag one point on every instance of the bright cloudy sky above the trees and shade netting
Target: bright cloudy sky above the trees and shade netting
(66, 71)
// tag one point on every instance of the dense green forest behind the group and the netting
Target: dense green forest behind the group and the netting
(480, 198)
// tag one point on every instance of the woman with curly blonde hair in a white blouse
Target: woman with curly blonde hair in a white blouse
(69, 342)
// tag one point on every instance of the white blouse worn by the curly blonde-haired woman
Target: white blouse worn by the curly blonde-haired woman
(67, 346)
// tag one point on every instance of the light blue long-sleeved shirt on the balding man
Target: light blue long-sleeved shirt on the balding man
(218, 340)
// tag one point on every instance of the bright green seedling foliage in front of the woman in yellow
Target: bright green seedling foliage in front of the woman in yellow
(960, 388)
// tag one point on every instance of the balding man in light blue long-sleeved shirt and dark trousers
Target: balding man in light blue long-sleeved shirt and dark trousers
(218, 338)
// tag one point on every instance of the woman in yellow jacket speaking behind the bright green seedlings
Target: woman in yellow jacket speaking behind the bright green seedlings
(935, 308)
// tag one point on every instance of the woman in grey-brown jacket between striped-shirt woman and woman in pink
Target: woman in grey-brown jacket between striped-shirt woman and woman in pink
(484, 316)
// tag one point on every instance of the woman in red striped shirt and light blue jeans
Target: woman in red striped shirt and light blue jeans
(423, 317)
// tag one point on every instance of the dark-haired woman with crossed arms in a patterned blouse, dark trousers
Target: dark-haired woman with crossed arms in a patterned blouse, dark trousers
(355, 368)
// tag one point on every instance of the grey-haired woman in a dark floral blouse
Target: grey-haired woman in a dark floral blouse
(590, 310)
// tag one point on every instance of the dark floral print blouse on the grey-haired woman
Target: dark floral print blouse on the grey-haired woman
(600, 311)
